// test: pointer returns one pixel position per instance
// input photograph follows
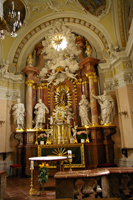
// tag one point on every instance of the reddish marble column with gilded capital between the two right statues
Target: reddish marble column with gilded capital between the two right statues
(93, 103)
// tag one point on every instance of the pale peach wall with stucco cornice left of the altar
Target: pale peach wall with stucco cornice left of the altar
(10, 87)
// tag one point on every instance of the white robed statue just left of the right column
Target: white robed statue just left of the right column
(84, 108)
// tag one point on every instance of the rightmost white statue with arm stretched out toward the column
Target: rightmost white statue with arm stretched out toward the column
(107, 107)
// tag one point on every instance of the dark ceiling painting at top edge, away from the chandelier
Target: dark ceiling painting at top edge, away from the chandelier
(95, 7)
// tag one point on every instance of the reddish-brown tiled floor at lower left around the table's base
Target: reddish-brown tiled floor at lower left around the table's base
(18, 189)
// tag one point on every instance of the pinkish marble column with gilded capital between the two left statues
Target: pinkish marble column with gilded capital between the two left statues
(29, 110)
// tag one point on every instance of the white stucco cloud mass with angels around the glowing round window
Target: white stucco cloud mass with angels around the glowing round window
(59, 50)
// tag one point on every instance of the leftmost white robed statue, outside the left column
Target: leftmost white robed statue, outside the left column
(18, 114)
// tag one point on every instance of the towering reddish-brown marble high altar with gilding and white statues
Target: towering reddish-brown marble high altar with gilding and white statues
(62, 99)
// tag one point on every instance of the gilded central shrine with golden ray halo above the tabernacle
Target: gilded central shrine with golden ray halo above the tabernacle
(61, 116)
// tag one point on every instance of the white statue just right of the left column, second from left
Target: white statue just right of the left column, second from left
(40, 110)
